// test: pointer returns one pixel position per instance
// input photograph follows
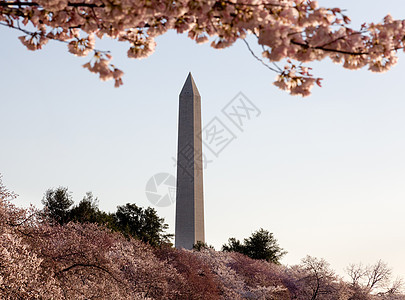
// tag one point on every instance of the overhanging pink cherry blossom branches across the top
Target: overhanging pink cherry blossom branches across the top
(292, 31)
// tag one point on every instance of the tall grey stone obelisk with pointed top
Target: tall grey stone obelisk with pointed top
(189, 191)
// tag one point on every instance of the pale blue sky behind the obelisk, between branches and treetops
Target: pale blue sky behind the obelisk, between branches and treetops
(325, 174)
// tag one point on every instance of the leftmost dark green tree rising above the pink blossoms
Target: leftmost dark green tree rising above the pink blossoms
(56, 205)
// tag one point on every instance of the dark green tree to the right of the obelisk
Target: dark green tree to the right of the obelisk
(261, 245)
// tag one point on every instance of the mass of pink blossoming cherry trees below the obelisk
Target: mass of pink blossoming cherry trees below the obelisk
(41, 260)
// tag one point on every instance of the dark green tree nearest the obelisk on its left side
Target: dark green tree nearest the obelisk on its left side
(143, 224)
